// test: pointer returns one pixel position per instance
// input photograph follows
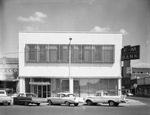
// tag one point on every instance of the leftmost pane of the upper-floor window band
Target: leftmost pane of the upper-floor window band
(31, 53)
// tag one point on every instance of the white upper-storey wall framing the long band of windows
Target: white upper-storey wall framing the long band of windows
(49, 70)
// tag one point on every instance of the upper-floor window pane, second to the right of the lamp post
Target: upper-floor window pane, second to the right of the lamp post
(87, 53)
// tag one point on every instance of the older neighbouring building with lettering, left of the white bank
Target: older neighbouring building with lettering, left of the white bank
(9, 74)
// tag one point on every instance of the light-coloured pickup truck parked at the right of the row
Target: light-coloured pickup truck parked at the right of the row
(104, 97)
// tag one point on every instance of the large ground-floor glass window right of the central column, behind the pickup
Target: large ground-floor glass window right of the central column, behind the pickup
(86, 87)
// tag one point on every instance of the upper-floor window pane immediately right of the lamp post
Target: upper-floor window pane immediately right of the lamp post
(76, 53)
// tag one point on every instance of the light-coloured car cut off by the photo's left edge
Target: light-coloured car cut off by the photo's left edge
(4, 99)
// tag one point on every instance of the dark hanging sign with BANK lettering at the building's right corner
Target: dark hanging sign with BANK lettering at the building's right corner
(130, 53)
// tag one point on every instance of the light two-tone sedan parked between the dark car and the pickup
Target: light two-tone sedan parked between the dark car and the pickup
(64, 98)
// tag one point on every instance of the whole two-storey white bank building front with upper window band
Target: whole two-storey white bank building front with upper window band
(50, 63)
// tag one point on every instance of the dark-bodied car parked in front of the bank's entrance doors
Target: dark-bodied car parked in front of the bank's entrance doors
(26, 99)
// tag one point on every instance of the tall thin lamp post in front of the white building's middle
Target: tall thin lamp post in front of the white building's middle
(70, 78)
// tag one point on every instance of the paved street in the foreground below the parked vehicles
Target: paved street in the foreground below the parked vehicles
(133, 107)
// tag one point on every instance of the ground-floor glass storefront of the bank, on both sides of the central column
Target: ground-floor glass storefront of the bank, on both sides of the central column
(46, 87)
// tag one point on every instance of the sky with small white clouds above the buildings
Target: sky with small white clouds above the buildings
(131, 18)
